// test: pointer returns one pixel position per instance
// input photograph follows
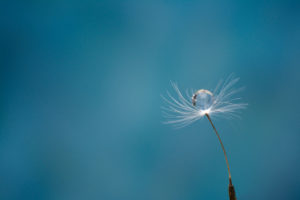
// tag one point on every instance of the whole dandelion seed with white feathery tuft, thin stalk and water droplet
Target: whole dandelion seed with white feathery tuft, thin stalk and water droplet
(183, 111)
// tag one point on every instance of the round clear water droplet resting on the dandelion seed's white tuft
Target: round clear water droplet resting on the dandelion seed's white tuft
(203, 99)
